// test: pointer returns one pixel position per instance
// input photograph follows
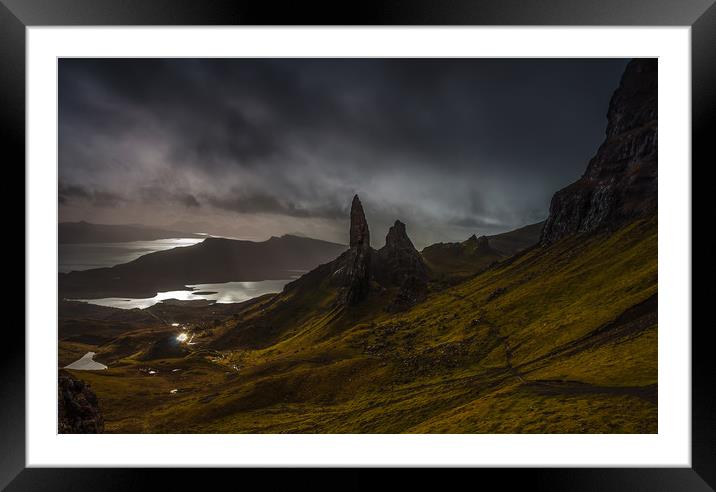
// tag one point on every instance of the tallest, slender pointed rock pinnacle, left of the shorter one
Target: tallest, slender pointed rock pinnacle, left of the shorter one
(356, 269)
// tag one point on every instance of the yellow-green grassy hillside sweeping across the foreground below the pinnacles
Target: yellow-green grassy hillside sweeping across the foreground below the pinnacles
(559, 339)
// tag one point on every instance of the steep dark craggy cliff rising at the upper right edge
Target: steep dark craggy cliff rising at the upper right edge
(621, 179)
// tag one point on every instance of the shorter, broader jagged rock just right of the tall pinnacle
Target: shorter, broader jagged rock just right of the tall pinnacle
(398, 264)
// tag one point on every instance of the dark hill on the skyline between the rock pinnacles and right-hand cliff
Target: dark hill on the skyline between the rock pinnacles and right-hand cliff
(473, 255)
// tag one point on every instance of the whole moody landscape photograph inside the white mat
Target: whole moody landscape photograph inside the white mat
(357, 245)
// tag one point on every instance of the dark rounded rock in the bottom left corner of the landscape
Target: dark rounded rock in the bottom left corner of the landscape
(78, 410)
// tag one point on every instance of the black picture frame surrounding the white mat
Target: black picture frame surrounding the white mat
(16, 15)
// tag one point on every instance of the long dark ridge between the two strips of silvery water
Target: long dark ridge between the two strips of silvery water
(212, 260)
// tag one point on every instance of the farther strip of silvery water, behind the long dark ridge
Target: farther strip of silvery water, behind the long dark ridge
(98, 255)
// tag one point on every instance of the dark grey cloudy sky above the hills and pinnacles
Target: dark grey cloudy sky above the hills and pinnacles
(251, 148)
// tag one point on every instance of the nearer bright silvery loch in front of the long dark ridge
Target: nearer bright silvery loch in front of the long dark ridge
(223, 293)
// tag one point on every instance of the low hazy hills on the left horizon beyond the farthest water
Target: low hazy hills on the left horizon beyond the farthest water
(85, 232)
